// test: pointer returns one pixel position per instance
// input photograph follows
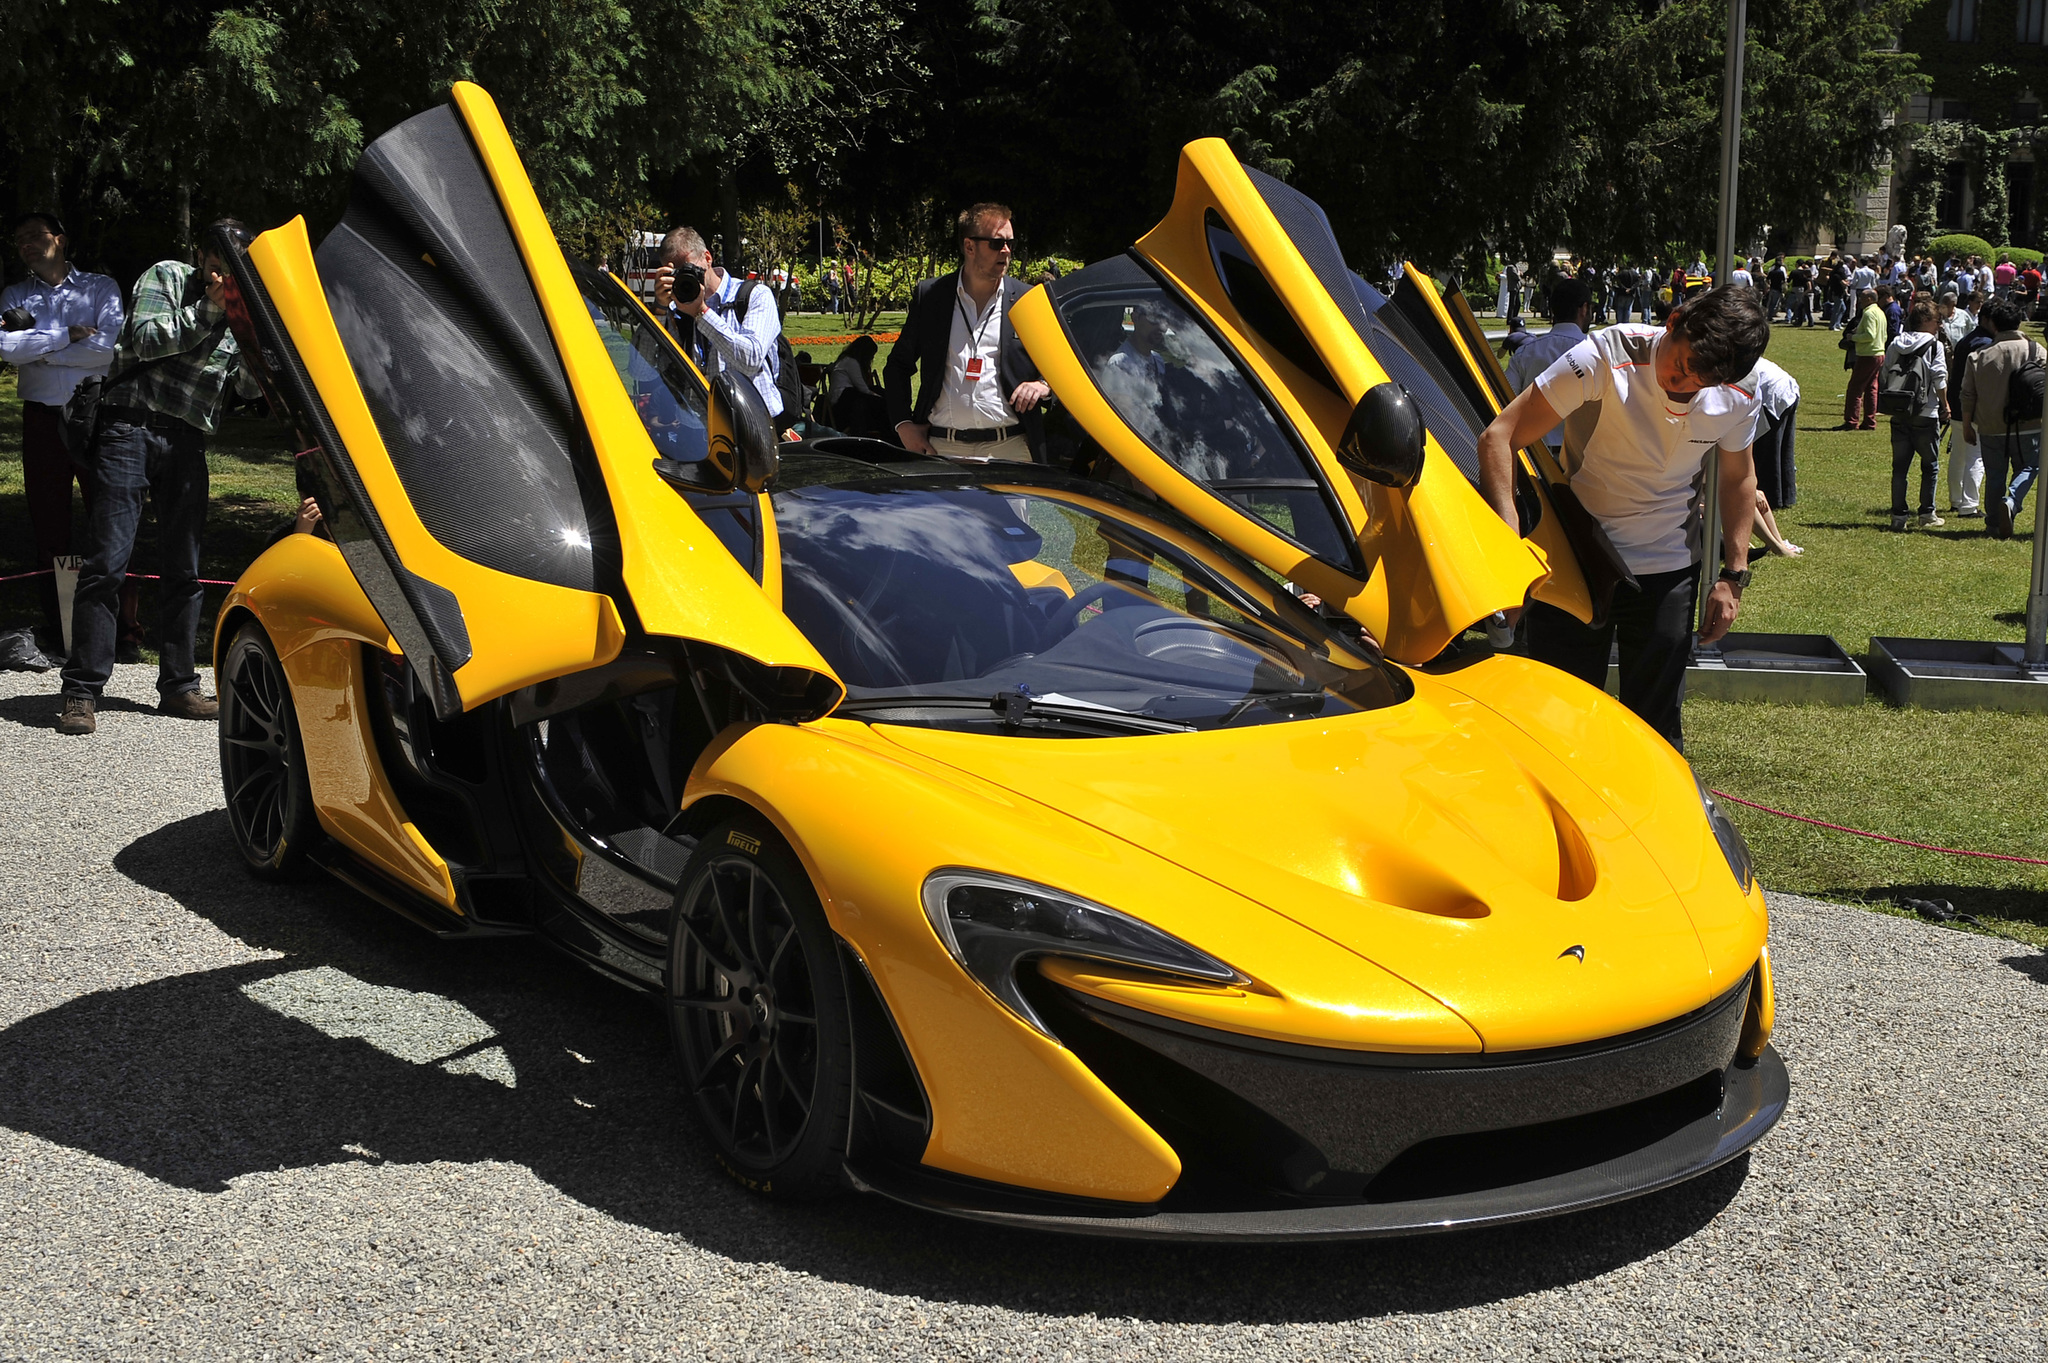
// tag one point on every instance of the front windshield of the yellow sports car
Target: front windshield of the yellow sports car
(945, 603)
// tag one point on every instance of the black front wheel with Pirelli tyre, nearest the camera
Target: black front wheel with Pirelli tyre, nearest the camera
(759, 1014)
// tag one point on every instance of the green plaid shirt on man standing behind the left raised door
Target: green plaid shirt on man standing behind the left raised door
(206, 357)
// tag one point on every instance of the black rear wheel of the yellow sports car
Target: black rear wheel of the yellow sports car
(263, 760)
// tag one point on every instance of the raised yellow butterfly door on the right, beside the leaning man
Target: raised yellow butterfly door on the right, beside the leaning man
(1226, 365)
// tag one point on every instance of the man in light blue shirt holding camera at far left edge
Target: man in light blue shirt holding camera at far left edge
(60, 331)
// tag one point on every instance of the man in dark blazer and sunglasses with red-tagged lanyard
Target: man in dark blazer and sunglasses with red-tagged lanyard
(978, 392)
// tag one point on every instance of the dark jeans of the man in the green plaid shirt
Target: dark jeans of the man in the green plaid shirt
(169, 468)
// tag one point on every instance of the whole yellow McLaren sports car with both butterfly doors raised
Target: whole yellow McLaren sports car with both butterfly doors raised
(1009, 840)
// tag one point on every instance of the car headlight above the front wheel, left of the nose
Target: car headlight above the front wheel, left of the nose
(992, 924)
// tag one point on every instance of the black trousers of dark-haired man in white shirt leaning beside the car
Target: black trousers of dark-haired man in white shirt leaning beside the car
(1654, 627)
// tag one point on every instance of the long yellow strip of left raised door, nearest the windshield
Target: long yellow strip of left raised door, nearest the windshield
(681, 580)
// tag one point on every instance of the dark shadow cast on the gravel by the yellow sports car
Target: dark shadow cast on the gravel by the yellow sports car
(196, 1082)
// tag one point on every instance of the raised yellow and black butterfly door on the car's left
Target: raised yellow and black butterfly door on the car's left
(478, 461)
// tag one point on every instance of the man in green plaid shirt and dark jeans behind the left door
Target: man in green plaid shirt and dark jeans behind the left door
(157, 412)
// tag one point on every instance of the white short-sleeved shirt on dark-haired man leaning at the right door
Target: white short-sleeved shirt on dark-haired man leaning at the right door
(1633, 453)
